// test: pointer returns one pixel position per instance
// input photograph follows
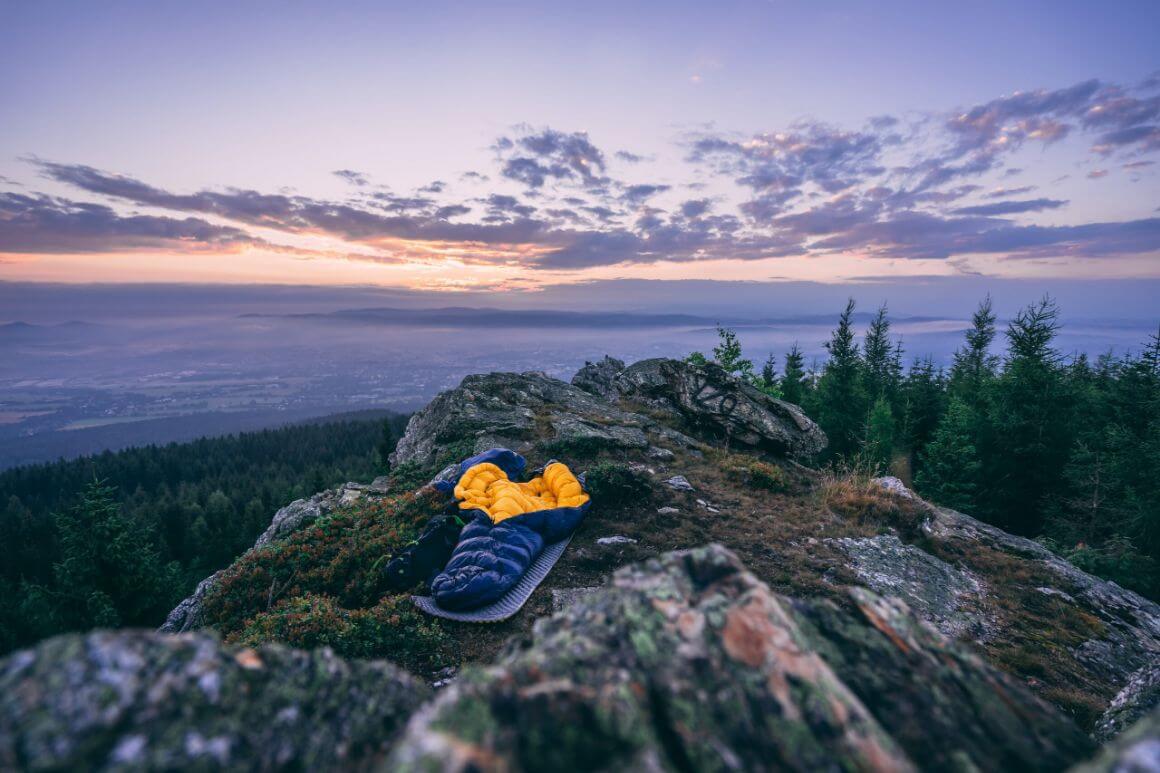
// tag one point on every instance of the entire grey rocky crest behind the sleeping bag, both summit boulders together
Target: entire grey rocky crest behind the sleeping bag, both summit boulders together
(518, 410)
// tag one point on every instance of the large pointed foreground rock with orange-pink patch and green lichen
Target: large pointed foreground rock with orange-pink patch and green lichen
(688, 662)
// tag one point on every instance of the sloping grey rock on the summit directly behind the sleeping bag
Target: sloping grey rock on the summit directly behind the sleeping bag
(519, 410)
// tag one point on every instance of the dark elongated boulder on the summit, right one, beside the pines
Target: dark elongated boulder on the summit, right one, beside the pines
(721, 407)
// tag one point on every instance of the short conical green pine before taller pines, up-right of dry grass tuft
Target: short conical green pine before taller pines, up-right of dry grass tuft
(951, 464)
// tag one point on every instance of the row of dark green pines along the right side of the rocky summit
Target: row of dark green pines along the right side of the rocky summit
(1050, 446)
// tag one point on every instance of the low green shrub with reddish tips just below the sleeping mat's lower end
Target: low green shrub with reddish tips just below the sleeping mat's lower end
(393, 630)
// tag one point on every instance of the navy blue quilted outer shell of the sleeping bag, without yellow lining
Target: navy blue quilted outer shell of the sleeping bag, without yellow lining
(492, 558)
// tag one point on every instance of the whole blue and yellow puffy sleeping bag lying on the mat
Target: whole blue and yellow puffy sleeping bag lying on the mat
(511, 524)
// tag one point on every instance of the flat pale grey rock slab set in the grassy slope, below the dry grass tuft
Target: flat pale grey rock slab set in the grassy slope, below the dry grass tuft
(936, 591)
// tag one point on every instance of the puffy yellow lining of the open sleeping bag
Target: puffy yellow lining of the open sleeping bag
(488, 488)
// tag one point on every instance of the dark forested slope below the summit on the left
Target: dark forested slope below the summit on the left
(119, 538)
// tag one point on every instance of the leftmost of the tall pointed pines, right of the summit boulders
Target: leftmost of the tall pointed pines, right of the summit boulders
(842, 398)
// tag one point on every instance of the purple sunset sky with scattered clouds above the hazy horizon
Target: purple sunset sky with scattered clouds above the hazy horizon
(520, 148)
